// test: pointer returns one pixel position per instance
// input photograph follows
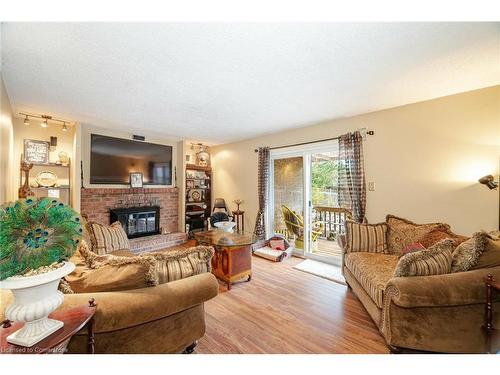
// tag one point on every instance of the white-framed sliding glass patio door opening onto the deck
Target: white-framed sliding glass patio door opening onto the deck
(303, 203)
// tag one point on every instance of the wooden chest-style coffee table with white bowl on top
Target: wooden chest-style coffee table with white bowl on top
(232, 260)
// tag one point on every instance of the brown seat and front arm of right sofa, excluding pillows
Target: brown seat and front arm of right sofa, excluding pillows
(441, 313)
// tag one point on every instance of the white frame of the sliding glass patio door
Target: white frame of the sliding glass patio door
(304, 151)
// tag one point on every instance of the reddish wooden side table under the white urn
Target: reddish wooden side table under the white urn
(74, 320)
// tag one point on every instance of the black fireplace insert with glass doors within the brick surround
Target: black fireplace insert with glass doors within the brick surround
(137, 221)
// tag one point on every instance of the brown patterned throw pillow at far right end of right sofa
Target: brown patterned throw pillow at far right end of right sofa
(481, 251)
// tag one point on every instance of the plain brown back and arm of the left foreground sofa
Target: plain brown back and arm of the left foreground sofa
(167, 318)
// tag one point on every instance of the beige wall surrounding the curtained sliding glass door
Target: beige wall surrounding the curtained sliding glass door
(425, 159)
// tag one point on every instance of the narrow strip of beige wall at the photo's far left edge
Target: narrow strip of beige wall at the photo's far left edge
(6, 146)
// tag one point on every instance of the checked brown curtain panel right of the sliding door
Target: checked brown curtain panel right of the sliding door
(351, 175)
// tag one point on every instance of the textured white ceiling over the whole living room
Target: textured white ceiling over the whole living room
(220, 82)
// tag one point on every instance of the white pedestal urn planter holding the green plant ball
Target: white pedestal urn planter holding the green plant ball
(35, 297)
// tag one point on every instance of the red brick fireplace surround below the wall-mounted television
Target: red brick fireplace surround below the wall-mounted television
(97, 203)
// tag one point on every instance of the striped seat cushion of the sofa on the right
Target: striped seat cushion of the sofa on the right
(373, 271)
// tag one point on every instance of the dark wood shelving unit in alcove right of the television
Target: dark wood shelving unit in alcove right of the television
(198, 210)
